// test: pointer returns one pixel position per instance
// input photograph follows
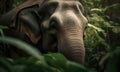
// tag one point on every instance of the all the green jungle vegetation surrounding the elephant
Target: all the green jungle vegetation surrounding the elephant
(102, 43)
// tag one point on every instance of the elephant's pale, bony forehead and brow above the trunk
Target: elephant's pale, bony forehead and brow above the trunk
(68, 12)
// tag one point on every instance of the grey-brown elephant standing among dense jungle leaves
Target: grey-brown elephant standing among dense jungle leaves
(50, 25)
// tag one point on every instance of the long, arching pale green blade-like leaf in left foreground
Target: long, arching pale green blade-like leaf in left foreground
(23, 46)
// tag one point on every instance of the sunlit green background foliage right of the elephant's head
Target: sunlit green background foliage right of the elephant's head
(101, 40)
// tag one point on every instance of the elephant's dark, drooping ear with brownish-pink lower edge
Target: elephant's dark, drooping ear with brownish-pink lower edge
(27, 22)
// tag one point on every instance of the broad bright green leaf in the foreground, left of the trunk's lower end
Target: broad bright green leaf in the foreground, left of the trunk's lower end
(56, 60)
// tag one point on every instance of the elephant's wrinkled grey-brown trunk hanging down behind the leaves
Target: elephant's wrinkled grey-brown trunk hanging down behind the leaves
(72, 45)
